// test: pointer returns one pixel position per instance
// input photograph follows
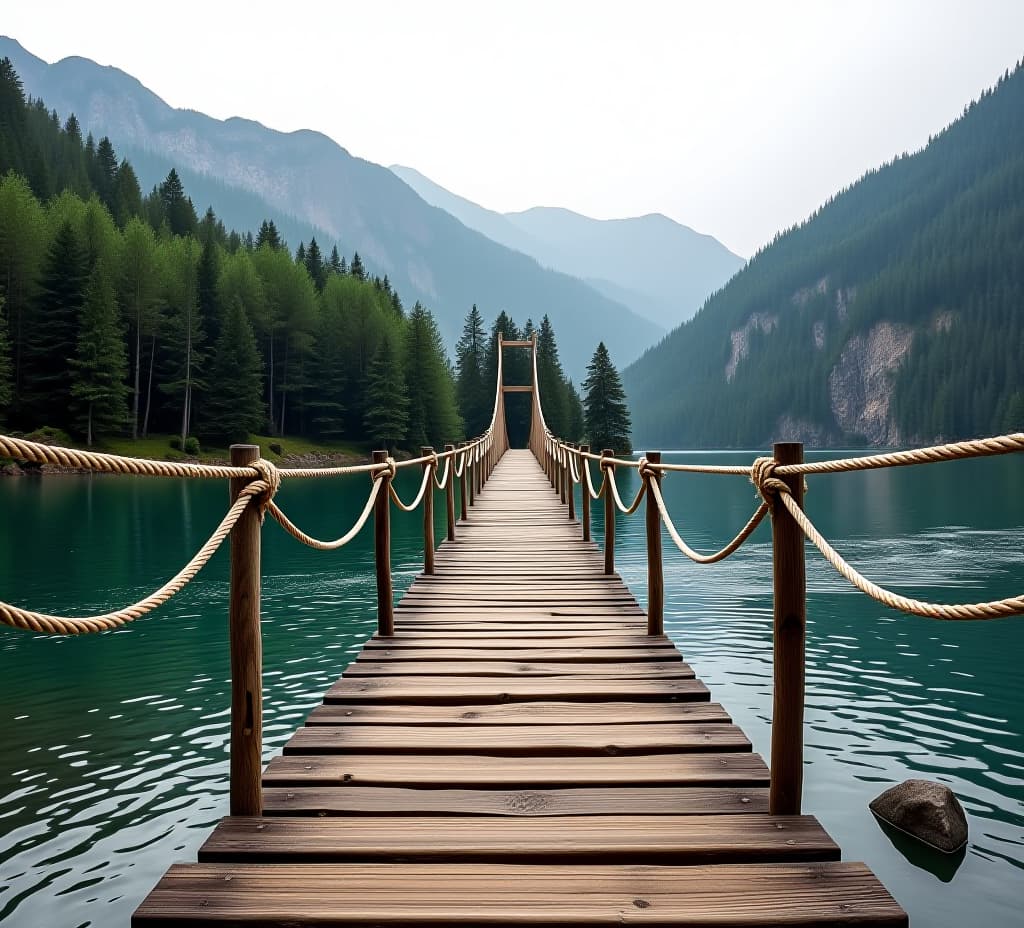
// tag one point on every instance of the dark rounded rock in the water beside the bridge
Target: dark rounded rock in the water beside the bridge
(926, 811)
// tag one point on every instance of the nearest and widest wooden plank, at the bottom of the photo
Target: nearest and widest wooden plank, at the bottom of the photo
(729, 896)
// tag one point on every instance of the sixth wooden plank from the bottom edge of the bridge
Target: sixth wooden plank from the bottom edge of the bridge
(541, 713)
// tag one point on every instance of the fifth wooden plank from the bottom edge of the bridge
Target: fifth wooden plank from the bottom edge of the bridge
(519, 741)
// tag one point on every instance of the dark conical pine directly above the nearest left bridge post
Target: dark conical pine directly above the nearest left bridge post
(233, 407)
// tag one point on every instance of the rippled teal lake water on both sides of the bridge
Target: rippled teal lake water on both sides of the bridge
(113, 761)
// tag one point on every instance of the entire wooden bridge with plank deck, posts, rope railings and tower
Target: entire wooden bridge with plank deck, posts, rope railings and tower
(520, 744)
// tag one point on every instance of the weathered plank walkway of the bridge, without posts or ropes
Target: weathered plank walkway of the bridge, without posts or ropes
(520, 753)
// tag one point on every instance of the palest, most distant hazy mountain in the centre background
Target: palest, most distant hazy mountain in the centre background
(658, 268)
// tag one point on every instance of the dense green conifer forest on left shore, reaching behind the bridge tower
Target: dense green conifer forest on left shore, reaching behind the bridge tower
(125, 314)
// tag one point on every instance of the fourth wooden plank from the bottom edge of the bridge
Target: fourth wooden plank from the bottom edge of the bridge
(534, 773)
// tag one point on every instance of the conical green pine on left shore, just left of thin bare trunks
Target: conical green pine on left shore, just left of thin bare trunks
(100, 395)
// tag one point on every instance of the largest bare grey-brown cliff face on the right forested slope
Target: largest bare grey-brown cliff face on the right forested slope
(861, 385)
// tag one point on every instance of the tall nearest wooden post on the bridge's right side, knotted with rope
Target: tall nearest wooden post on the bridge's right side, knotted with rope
(791, 626)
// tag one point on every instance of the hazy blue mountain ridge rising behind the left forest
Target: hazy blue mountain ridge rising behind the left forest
(306, 182)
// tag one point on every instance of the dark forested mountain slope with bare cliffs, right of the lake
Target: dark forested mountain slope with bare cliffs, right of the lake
(894, 315)
